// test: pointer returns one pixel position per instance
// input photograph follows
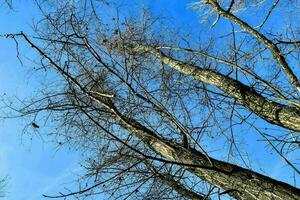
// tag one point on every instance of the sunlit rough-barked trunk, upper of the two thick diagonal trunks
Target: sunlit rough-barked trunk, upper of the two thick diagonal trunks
(273, 112)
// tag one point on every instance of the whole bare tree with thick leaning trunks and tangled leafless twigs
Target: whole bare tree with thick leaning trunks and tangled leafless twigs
(147, 102)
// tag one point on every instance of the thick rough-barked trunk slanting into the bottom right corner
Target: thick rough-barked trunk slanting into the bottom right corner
(236, 181)
